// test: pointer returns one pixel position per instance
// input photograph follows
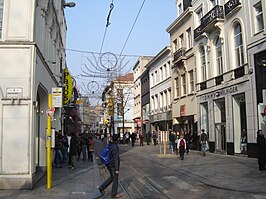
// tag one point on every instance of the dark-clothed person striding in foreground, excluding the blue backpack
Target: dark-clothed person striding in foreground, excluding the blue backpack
(113, 168)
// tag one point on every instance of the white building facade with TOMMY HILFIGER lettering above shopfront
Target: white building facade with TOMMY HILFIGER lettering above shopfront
(225, 43)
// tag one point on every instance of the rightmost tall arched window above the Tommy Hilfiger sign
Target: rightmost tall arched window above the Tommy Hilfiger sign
(238, 42)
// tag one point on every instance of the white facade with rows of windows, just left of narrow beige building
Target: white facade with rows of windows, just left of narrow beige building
(160, 92)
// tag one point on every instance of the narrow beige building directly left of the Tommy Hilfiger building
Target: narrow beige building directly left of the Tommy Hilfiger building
(184, 101)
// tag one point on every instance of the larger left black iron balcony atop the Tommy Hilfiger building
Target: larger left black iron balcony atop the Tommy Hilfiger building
(209, 20)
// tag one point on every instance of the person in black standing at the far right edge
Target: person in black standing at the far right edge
(261, 146)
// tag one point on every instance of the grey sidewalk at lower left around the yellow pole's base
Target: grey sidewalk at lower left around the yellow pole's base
(66, 184)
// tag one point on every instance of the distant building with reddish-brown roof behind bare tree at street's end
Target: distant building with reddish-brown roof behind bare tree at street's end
(118, 102)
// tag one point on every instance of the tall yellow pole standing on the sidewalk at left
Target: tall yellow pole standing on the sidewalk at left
(48, 147)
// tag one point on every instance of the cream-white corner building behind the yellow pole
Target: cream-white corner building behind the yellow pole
(32, 57)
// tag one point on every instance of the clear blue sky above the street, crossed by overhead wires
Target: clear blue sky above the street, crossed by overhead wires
(86, 25)
